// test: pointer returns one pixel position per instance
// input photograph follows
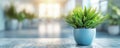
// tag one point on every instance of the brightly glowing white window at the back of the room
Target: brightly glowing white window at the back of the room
(49, 10)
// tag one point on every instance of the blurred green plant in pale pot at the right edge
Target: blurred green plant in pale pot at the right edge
(114, 21)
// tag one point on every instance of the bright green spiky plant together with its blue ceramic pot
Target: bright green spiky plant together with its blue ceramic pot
(84, 22)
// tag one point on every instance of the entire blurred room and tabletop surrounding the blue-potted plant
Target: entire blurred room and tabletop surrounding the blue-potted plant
(41, 23)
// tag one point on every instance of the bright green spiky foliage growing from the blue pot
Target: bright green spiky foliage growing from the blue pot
(84, 18)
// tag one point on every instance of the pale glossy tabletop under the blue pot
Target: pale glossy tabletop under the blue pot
(56, 43)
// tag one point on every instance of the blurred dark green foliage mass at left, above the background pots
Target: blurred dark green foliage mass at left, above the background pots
(11, 13)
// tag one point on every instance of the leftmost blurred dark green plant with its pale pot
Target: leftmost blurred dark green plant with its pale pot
(10, 13)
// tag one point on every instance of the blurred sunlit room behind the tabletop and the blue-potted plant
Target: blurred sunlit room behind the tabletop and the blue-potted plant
(45, 19)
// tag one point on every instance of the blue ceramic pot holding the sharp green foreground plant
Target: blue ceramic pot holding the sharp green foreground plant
(84, 37)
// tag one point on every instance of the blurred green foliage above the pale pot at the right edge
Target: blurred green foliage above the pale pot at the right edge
(114, 15)
